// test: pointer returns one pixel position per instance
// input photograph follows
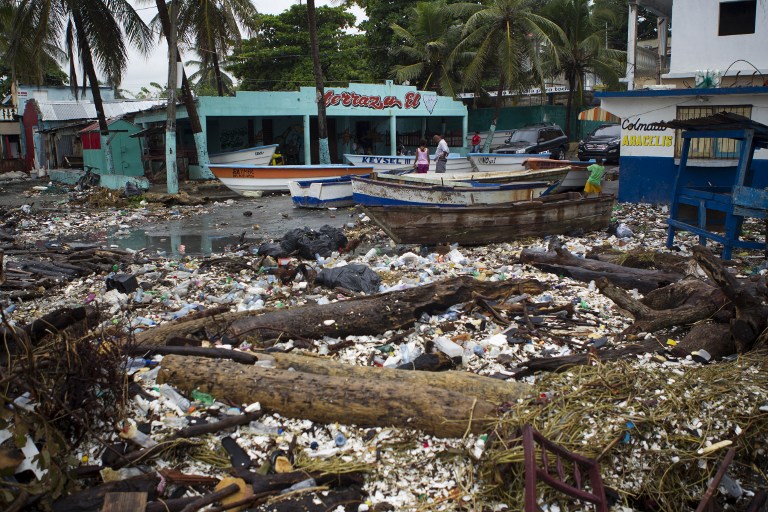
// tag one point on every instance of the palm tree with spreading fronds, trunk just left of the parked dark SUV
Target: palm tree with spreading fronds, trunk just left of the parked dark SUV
(505, 38)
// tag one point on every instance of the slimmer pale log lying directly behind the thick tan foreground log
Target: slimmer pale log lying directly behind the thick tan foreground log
(470, 384)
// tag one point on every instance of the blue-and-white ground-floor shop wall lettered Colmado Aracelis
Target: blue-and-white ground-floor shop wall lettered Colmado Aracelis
(648, 164)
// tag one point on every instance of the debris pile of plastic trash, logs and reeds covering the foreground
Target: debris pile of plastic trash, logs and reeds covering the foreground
(366, 376)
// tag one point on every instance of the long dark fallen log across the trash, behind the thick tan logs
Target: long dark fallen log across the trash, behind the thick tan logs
(358, 316)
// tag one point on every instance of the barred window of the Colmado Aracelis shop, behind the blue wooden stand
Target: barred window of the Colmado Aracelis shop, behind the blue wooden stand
(710, 149)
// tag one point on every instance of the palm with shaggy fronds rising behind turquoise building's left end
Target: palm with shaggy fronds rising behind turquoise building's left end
(211, 28)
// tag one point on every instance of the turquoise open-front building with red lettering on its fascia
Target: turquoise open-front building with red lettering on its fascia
(371, 118)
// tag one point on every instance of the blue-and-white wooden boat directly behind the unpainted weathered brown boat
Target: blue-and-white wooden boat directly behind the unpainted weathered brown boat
(371, 192)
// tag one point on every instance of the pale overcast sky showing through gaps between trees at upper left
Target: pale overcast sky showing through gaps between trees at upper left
(154, 68)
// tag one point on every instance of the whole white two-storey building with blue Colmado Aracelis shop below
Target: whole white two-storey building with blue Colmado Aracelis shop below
(730, 39)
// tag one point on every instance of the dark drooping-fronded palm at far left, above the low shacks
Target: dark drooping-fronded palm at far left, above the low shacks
(95, 32)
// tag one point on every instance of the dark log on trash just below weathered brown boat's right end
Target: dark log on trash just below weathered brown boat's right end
(558, 260)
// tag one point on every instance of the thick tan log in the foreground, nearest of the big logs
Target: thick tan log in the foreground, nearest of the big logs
(366, 402)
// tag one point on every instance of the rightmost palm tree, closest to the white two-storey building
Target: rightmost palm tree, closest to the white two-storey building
(580, 45)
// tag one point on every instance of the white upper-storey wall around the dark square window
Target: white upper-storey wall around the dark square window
(697, 44)
